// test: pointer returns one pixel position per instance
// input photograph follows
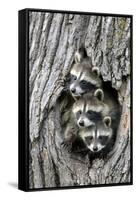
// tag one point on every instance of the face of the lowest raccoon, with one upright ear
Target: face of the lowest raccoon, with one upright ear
(97, 137)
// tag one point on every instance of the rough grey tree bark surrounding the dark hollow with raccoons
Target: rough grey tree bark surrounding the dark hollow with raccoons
(53, 40)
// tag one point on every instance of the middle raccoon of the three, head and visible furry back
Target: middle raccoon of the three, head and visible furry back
(91, 108)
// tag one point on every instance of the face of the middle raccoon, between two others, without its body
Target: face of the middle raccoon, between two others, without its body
(89, 109)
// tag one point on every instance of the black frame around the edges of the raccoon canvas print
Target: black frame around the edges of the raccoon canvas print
(23, 123)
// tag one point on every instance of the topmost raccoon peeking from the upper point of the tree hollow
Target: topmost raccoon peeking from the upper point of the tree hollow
(84, 76)
